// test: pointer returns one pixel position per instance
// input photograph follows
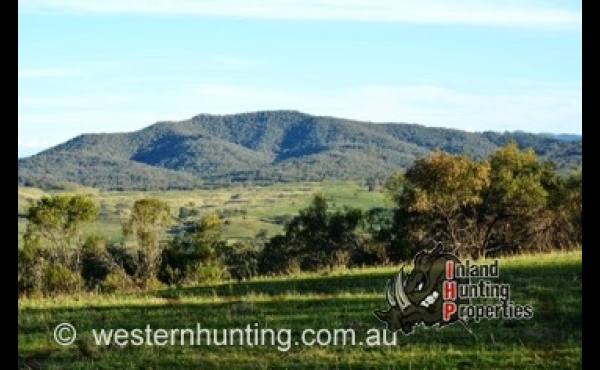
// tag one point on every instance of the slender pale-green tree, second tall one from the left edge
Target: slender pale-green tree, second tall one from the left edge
(147, 223)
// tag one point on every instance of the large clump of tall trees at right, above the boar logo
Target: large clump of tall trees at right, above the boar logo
(508, 203)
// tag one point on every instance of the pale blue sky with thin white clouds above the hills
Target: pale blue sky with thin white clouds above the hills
(89, 66)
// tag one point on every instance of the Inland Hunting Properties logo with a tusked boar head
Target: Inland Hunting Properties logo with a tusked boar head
(441, 290)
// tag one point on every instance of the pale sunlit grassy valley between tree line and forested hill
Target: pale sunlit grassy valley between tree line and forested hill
(252, 208)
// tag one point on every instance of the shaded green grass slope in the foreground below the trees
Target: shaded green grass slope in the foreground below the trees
(552, 339)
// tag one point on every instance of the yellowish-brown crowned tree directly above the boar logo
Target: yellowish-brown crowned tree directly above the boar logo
(437, 197)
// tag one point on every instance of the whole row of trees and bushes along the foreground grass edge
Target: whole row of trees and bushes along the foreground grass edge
(508, 203)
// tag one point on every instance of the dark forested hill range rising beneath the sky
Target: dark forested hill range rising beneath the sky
(262, 147)
